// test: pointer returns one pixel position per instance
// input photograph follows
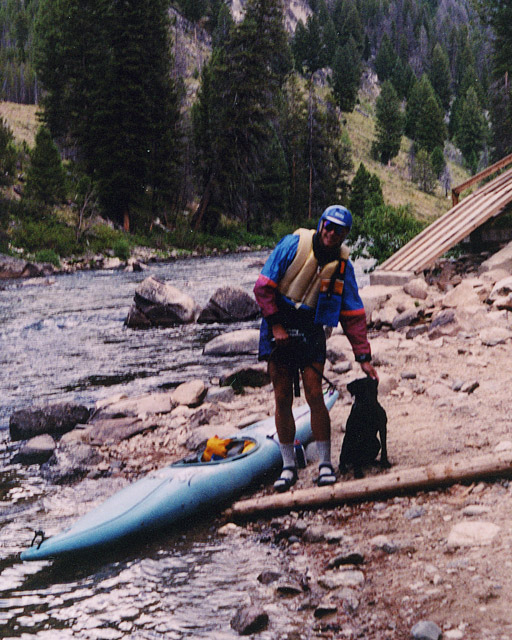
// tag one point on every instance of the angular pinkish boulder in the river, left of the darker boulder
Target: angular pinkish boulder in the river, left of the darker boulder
(164, 305)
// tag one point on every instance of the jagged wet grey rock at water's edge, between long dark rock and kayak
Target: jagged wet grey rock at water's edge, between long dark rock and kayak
(69, 463)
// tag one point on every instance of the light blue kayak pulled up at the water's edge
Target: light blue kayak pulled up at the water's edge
(176, 492)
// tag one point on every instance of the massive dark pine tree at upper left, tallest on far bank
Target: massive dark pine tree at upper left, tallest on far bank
(105, 67)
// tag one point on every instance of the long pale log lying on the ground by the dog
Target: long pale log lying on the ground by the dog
(392, 483)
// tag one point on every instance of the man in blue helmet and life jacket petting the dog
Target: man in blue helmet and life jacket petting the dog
(306, 283)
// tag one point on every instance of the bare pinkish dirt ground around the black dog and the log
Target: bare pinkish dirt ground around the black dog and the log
(413, 573)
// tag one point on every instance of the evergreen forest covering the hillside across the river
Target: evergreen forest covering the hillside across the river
(251, 138)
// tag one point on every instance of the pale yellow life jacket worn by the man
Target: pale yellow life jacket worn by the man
(304, 279)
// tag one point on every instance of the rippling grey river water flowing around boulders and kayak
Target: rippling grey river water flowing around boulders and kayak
(66, 341)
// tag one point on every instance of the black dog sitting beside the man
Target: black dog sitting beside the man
(367, 419)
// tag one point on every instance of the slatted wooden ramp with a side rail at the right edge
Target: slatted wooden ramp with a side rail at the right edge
(448, 230)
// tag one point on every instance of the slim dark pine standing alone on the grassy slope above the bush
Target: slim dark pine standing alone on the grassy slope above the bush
(389, 124)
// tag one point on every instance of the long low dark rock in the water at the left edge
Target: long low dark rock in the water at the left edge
(54, 419)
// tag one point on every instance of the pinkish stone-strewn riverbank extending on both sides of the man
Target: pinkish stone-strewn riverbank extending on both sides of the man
(427, 565)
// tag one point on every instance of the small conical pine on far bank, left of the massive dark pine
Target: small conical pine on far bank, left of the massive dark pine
(46, 179)
